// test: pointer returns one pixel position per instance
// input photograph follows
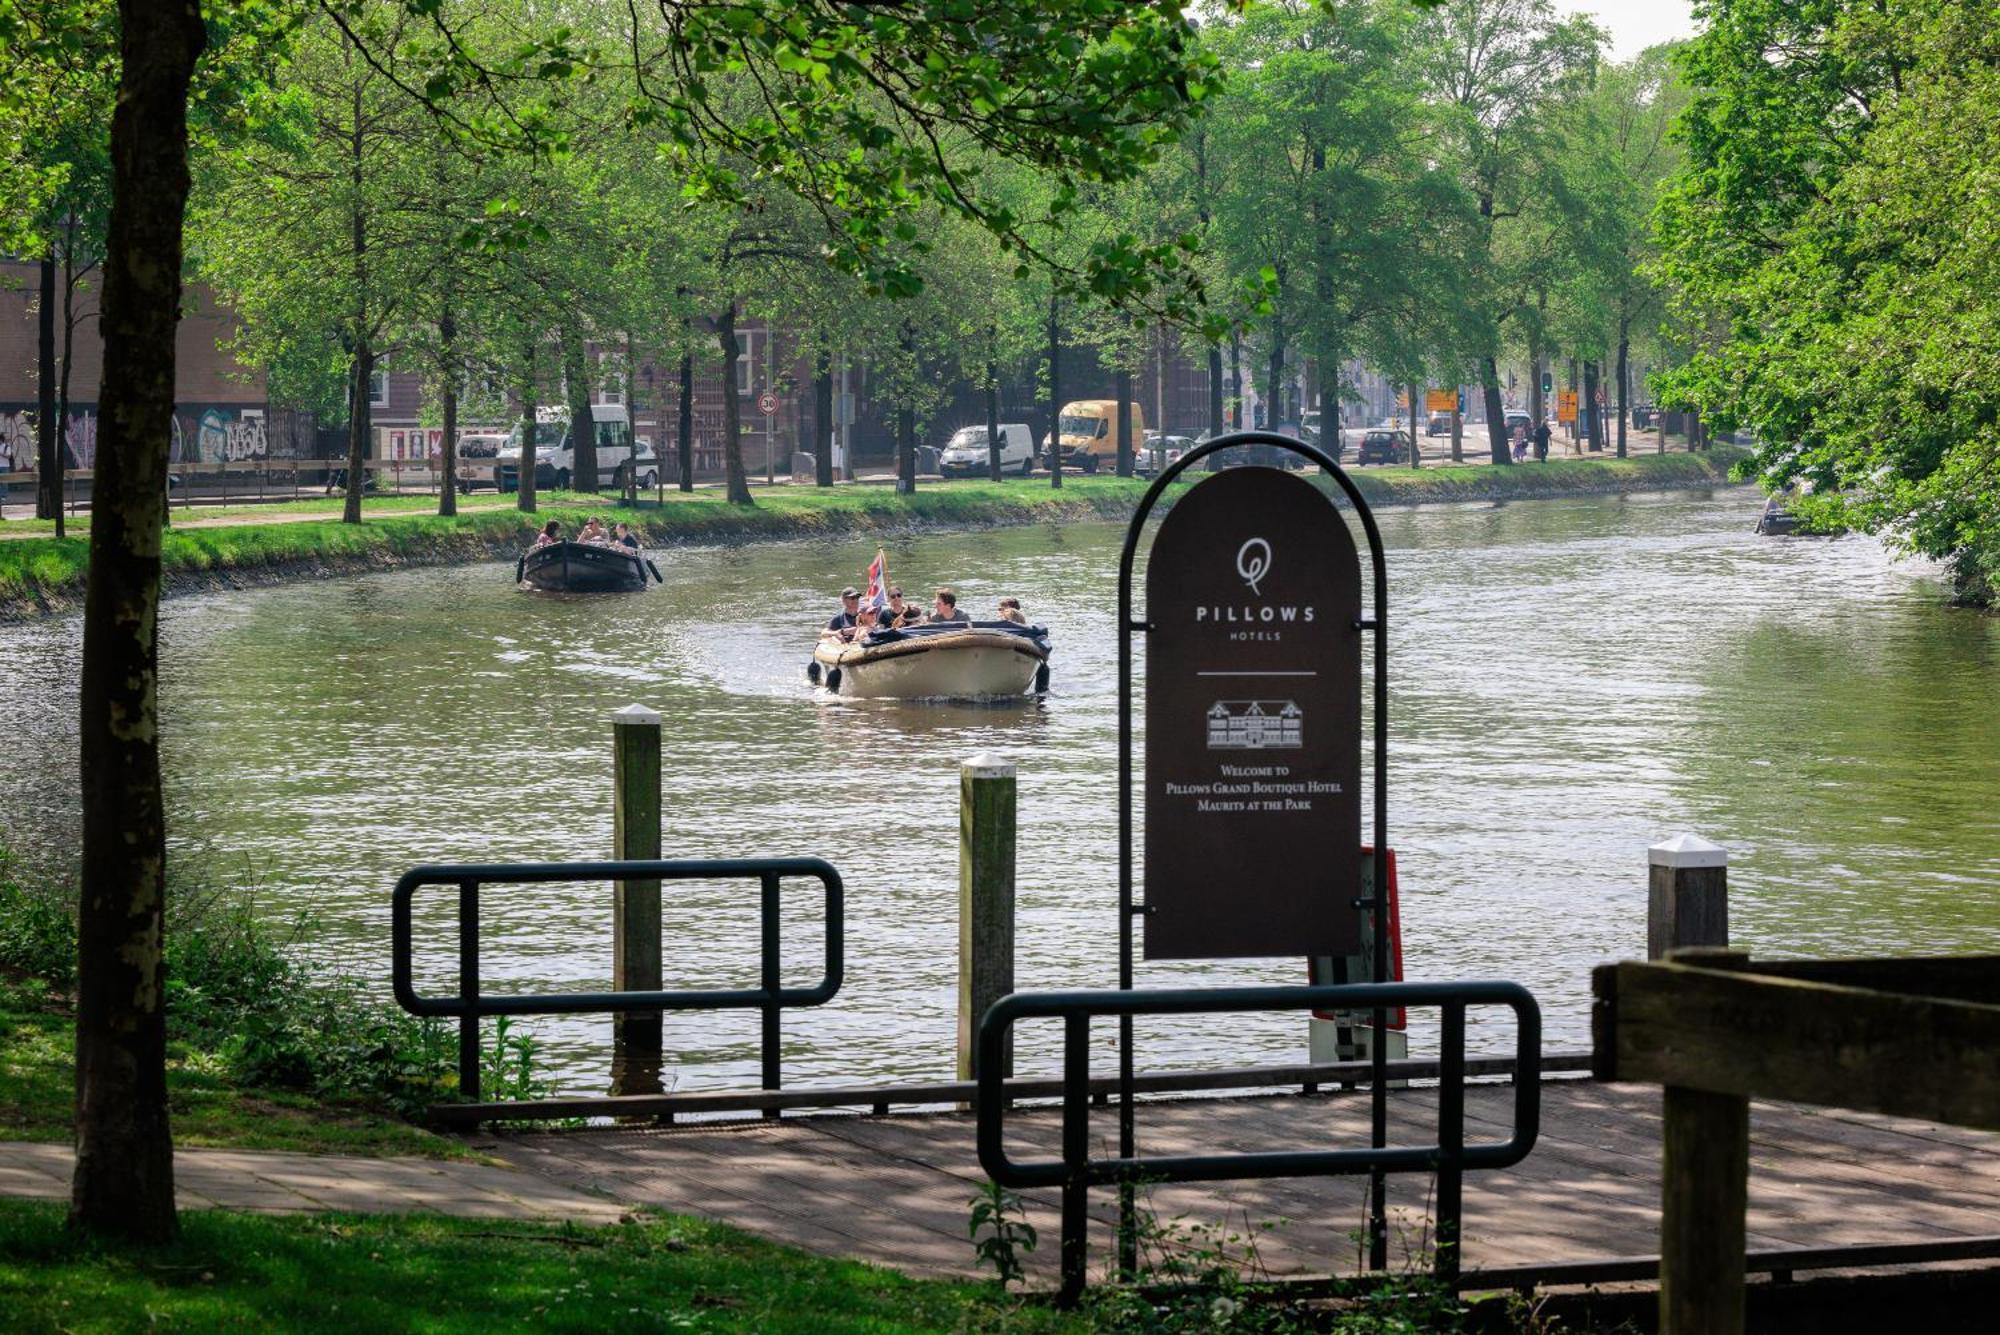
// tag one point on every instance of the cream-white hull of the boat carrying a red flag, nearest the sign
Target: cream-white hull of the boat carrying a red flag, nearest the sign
(967, 661)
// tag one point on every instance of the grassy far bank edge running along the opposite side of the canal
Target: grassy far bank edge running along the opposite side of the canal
(45, 577)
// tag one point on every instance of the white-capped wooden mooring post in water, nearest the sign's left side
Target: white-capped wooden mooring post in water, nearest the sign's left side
(985, 898)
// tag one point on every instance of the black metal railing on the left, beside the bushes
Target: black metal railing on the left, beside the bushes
(771, 996)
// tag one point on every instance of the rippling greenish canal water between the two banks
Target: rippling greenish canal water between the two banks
(1571, 682)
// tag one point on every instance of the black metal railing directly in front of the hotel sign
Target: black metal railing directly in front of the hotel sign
(1077, 1172)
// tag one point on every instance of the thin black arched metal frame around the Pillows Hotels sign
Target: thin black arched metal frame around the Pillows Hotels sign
(1375, 621)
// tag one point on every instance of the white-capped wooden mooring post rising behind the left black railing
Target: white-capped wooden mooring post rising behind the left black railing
(637, 904)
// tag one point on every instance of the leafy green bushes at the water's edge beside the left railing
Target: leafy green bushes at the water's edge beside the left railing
(235, 990)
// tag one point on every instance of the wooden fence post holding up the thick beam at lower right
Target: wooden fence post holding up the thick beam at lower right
(1705, 1184)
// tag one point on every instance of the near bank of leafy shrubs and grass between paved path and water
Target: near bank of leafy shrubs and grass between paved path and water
(263, 1054)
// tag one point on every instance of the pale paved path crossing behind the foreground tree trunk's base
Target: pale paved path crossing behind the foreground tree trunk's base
(293, 1184)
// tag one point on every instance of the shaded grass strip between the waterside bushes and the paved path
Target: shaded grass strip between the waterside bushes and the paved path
(39, 1094)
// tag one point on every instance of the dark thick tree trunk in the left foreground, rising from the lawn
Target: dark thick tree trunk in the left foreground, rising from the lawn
(125, 1152)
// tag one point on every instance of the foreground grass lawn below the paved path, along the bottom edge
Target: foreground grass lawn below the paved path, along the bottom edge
(425, 1274)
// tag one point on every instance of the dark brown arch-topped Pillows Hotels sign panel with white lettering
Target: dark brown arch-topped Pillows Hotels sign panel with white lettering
(1253, 722)
